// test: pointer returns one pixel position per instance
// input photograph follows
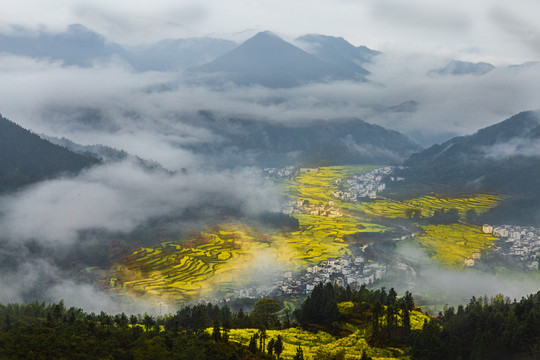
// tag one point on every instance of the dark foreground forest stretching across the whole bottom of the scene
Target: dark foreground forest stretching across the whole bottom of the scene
(483, 329)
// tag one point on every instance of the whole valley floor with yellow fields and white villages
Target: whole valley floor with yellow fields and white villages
(238, 259)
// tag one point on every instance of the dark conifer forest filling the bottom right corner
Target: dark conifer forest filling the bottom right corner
(482, 330)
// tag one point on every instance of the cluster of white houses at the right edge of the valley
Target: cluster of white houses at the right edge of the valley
(521, 243)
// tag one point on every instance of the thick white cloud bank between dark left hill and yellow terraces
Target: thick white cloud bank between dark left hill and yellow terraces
(119, 196)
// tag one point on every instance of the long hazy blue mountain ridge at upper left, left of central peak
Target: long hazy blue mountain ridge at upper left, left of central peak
(81, 46)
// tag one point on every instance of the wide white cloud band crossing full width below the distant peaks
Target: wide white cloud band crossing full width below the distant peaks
(148, 114)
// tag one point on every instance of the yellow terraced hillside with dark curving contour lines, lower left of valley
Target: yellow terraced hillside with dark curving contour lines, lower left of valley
(182, 271)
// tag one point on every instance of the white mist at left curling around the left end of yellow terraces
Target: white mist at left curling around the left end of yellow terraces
(44, 223)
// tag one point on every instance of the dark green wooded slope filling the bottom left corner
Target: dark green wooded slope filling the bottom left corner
(90, 338)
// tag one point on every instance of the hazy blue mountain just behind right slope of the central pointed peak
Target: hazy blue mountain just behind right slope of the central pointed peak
(338, 51)
